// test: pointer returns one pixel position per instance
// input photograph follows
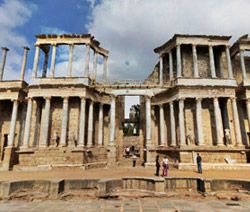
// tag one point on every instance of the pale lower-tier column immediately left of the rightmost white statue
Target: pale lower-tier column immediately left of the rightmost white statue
(218, 122)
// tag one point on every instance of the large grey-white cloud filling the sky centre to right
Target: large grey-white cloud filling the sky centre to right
(131, 29)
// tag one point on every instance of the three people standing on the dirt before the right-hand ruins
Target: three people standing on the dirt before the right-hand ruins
(165, 165)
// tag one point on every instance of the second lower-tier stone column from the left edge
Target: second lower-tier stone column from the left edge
(27, 124)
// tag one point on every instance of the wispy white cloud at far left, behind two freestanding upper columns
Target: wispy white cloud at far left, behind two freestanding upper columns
(13, 14)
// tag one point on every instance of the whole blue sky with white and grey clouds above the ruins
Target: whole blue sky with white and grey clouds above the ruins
(130, 29)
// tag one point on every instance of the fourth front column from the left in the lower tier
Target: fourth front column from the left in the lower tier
(65, 116)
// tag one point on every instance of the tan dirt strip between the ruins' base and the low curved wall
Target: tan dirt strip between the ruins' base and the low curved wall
(76, 173)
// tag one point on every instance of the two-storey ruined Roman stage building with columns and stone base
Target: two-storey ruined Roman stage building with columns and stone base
(196, 100)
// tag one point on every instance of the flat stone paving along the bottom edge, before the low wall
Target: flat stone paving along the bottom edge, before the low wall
(126, 205)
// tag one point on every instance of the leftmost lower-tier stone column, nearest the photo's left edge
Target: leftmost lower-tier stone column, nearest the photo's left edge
(11, 136)
